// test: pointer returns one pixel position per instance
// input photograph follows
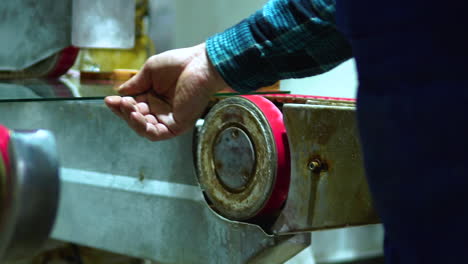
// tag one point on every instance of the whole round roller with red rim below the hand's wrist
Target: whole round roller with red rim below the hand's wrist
(242, 158)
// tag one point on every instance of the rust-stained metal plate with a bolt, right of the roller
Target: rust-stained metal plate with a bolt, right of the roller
(335, 193)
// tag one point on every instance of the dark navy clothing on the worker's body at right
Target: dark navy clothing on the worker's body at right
(411, 58)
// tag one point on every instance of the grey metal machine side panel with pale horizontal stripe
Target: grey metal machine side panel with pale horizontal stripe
(123, 194)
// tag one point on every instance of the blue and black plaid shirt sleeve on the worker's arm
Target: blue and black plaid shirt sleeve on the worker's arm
(285, 39)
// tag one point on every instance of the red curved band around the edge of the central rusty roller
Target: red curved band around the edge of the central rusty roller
(280, 190)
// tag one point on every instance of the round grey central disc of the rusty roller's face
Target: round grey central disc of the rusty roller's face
(234, 158)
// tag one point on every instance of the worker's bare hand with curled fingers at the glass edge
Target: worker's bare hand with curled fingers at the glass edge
(170, 93)
